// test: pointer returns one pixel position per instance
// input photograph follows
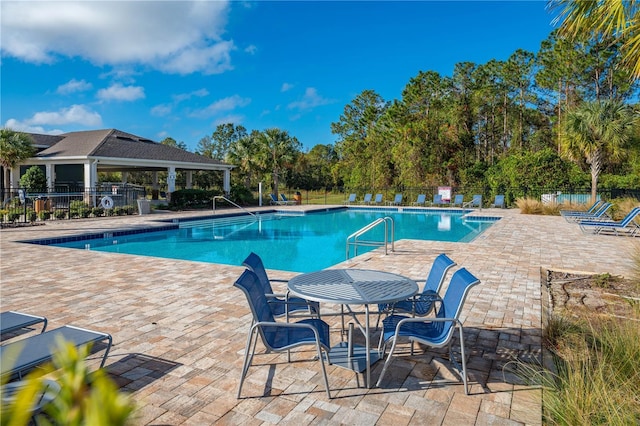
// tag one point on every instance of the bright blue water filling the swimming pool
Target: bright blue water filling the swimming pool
(297, 243)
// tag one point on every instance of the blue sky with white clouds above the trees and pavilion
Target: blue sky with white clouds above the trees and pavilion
(178, 69)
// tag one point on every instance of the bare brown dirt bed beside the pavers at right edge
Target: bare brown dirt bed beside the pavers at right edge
(578, 294)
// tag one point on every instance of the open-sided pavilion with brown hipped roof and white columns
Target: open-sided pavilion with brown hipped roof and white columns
(81, 155)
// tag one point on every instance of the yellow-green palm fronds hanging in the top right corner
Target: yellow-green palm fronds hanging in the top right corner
(617, 19)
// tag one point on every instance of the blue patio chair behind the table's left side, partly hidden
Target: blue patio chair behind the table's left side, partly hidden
(280, 304)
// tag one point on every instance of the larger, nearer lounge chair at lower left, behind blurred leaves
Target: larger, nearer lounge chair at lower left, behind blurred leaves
(23, 355)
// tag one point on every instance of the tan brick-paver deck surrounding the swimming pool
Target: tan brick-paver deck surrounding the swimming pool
(179, 327)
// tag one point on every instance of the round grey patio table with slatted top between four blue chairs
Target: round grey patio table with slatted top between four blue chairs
(350, 287)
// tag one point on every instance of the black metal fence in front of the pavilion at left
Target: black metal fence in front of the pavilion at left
(22, 206)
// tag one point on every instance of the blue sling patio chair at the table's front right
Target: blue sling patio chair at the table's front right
(435, 331)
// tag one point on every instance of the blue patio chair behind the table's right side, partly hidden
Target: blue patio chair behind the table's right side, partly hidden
(422, 304)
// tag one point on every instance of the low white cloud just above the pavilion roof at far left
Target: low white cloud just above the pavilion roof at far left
(75, 114)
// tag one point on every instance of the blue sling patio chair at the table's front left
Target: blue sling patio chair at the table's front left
(278, 336)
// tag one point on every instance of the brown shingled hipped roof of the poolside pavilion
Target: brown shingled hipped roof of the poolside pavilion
(112, 145)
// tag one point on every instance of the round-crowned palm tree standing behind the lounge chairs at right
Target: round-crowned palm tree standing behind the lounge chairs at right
(597, 131)
